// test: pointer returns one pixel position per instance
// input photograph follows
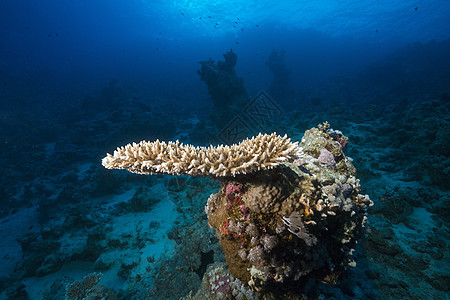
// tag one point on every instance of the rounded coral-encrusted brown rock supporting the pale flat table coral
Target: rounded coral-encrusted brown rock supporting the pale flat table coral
(280, 227)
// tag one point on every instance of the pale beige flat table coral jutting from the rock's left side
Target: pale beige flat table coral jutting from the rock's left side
(258, 153)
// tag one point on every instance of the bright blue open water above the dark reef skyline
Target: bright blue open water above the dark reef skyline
(81, 45)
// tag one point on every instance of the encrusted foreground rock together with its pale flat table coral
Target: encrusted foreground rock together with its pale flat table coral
(285, 219)
